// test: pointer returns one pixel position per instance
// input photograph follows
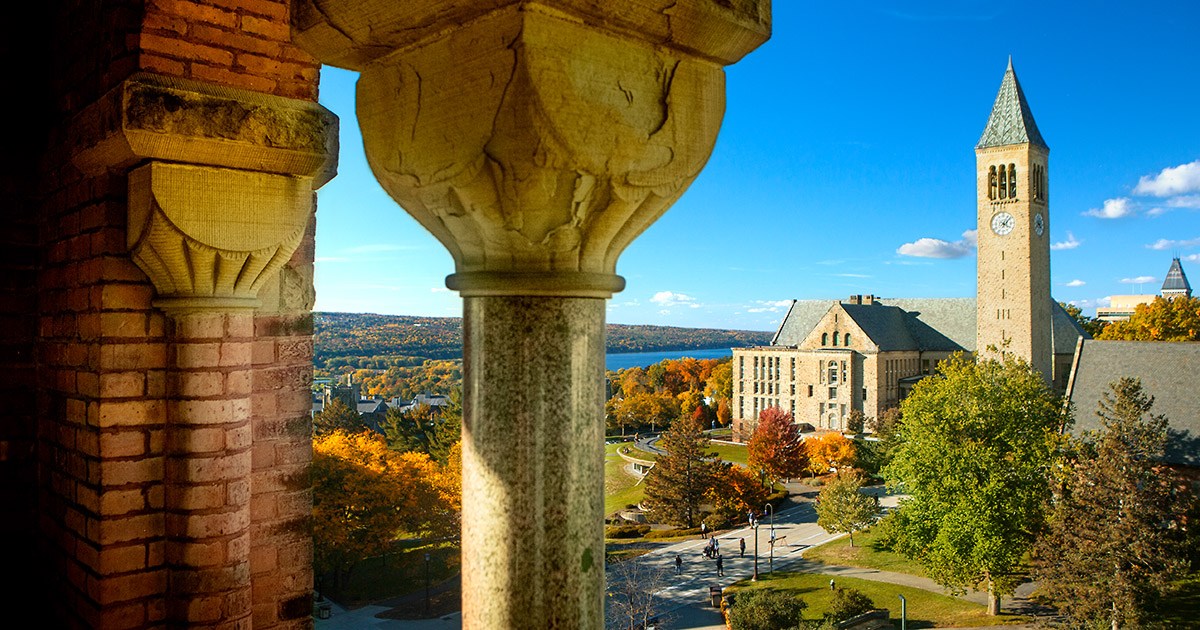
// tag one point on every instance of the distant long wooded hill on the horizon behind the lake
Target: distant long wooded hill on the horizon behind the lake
(349, 335)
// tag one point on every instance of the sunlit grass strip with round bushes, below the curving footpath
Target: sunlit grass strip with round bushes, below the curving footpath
(926, 609)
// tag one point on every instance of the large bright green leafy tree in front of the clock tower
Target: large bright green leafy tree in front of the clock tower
(975, 454)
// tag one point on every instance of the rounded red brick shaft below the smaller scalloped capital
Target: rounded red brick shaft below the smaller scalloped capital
(208, 472)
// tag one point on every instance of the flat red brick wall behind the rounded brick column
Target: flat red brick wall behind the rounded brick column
(83, 350)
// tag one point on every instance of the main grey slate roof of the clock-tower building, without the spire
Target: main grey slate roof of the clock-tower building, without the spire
(916, 325)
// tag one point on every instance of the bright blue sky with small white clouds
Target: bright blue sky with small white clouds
(850, 137)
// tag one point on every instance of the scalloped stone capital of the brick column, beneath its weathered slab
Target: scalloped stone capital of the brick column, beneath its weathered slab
(209, 237)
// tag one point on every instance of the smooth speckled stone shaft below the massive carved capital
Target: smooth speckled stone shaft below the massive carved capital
(533, 463)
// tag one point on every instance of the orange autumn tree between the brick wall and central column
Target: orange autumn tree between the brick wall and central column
(365, 495)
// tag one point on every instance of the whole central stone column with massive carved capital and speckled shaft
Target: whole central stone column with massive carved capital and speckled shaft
(536, 141)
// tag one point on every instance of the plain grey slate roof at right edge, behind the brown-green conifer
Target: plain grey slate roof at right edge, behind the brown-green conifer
(1168, 373)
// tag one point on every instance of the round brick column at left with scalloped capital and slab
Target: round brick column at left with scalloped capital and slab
(220, 197)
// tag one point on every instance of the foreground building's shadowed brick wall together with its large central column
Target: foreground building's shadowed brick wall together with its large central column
(157, 340)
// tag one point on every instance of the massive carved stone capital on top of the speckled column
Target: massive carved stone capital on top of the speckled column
(536, 143)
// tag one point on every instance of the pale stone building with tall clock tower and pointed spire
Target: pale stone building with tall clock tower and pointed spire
(866, 355)
